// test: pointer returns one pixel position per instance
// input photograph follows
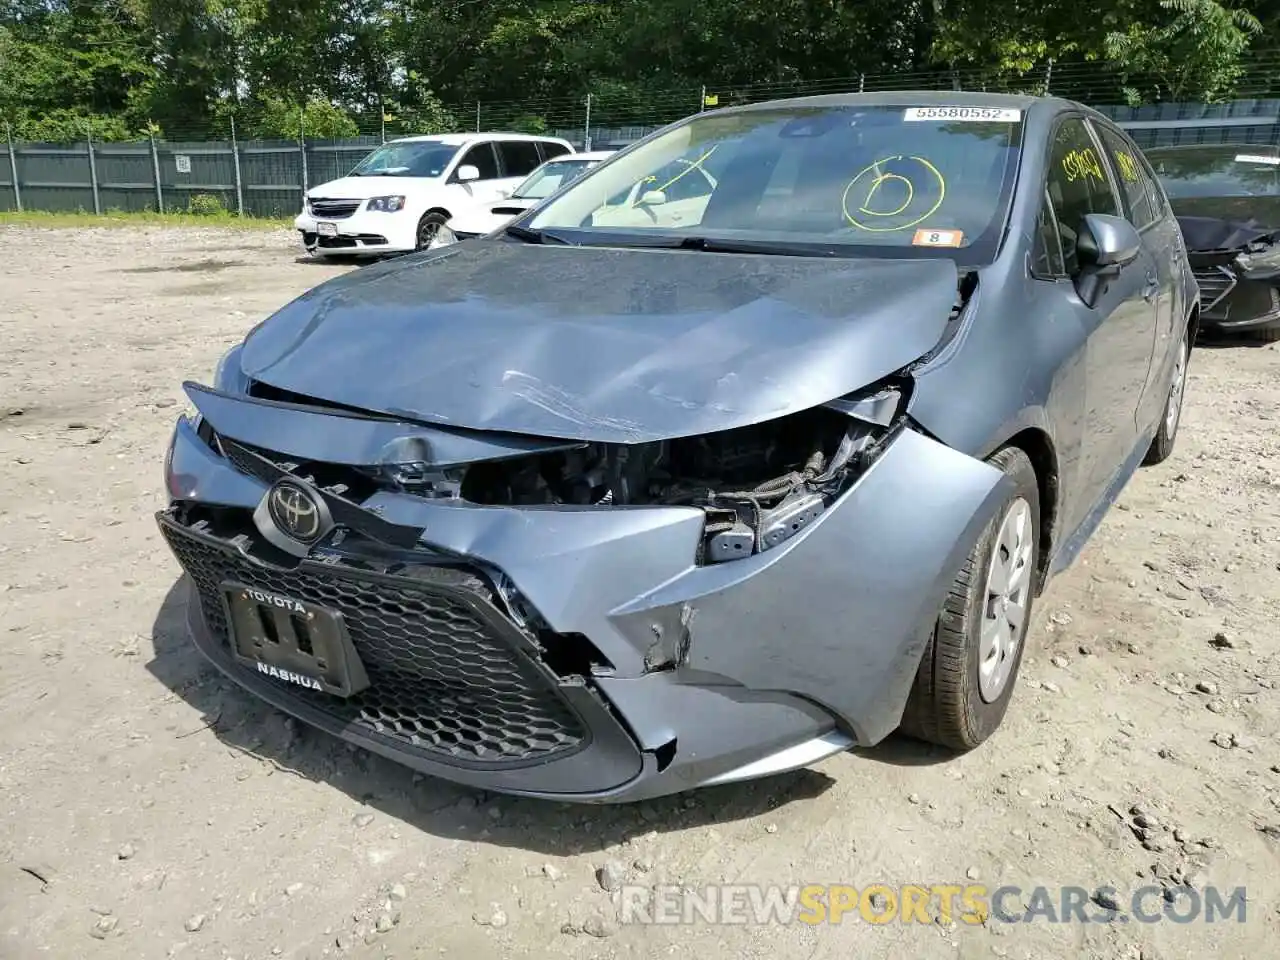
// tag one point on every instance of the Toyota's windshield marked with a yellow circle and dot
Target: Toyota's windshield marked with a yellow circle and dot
(868, 181)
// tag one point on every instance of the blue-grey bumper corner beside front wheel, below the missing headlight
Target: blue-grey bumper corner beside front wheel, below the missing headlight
(840, 615)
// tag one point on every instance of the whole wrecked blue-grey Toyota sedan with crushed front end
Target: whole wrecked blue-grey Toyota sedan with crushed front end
(753, 445)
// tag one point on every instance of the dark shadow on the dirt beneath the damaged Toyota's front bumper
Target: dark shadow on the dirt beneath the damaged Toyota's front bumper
(282, 746)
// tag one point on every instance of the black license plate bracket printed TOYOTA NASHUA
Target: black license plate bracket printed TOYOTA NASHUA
(294, 642)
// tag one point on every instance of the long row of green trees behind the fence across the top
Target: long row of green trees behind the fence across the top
(189, 66)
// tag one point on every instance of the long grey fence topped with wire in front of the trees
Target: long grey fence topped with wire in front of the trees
(226, 164)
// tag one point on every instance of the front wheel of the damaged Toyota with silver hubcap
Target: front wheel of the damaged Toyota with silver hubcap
(958, 700)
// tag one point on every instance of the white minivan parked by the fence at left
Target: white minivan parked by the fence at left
(399, 198)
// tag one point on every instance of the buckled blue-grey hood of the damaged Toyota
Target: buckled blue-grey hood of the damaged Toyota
(606, 345)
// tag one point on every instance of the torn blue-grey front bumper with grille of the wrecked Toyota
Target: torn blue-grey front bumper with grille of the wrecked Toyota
(586, 652)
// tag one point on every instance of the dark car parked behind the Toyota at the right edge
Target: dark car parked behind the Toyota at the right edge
(1227, 198)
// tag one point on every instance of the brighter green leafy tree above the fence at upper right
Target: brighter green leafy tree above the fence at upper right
(1195, 53)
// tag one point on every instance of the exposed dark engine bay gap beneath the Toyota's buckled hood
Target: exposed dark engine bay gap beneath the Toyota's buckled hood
(758, 484)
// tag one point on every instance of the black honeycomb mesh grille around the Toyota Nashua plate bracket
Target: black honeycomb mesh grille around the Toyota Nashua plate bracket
(442, 682)
